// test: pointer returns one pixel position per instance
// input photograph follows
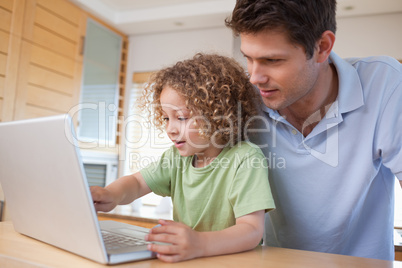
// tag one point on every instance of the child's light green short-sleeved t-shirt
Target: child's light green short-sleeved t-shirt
(211, 198)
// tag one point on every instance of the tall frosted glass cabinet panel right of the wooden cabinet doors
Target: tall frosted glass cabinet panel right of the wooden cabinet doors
(99, 100)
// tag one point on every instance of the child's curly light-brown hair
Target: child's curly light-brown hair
(216, 90)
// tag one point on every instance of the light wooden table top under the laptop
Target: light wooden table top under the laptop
(17, 250)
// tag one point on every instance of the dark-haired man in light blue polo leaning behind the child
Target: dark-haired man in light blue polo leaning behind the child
(333, 129)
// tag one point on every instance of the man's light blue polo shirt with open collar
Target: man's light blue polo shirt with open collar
(334, 189)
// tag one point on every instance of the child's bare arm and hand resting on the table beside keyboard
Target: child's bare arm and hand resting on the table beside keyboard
(188, 244)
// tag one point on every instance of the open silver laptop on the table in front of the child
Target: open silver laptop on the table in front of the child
(48, 196)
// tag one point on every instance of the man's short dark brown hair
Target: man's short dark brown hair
(304, 21)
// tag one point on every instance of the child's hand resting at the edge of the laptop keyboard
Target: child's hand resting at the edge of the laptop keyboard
(185, 243)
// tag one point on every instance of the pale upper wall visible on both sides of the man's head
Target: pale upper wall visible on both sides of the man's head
(356, 36)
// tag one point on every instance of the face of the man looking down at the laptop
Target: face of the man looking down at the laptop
(280, 69)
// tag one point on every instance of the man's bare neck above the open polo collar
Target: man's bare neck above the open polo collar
(306, 114)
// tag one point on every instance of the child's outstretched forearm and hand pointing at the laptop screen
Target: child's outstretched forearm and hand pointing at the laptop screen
(120, 192)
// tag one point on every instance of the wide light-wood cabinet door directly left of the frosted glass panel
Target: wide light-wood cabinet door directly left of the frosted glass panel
(50, 64)
